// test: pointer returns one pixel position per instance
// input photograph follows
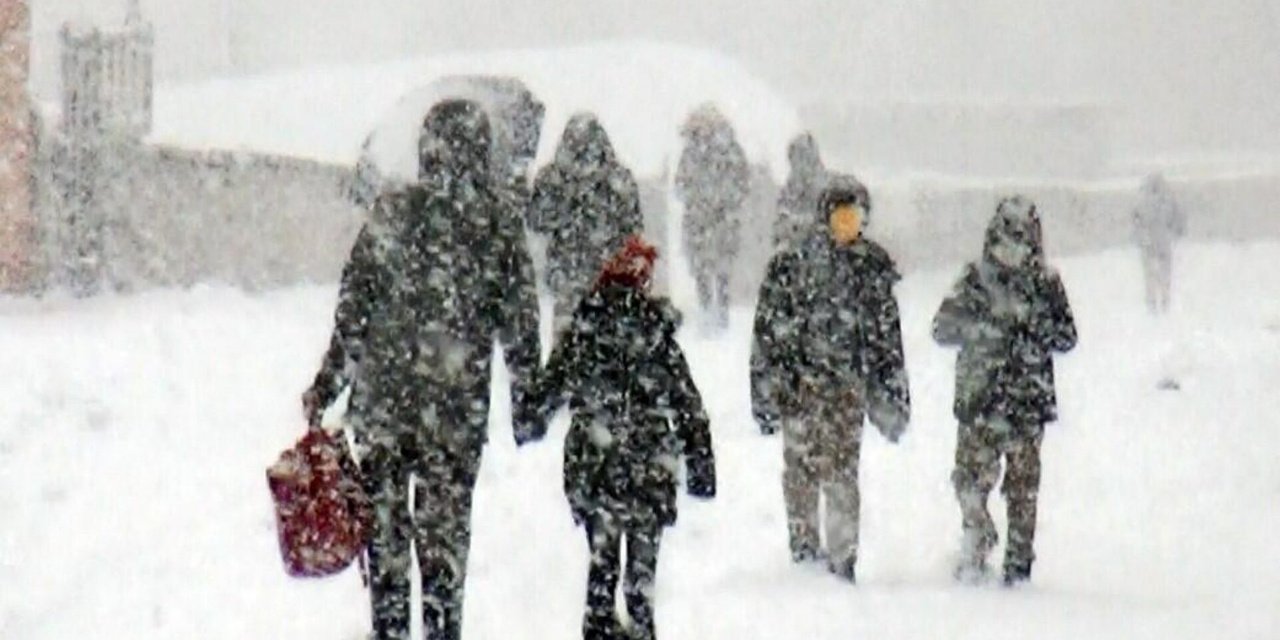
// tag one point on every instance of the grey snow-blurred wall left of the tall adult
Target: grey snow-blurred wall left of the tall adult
(171, 217)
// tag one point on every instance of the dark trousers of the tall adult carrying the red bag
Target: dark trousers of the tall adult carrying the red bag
(441, 531)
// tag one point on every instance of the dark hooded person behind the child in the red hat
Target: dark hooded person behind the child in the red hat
(586, 203)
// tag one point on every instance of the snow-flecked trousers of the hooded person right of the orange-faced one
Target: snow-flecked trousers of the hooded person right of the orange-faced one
(981, 447)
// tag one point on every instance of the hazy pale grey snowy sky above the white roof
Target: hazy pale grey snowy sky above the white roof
(1185, 77)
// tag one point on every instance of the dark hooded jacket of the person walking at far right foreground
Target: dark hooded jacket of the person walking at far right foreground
(1008, 322)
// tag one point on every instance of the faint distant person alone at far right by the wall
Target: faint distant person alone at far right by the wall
(1158, 223)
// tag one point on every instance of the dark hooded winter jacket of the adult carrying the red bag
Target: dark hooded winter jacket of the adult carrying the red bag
(437, 275)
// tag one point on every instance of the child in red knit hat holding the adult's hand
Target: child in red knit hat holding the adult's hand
(637, 413)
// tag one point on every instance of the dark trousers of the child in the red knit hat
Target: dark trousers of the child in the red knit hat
(605, 540)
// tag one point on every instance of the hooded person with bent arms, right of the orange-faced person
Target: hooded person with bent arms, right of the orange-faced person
(1008, 314)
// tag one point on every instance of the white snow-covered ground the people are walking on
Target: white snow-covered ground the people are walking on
(136, 431)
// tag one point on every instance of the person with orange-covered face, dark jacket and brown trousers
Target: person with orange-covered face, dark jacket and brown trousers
(828, 351)
